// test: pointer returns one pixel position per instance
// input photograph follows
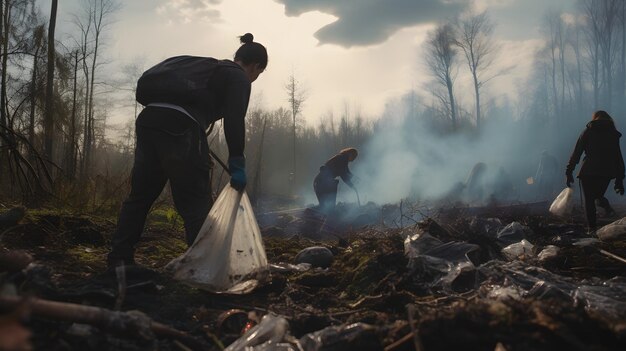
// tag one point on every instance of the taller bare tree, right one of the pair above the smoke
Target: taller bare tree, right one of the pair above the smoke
(474, 37)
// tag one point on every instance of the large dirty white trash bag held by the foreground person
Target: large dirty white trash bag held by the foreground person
(227, 255)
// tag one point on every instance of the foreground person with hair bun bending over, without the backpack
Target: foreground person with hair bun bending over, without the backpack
(172, 145)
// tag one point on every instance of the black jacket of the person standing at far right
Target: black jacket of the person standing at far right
(603, 157)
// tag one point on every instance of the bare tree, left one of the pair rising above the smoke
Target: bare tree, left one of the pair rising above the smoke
(441, 52)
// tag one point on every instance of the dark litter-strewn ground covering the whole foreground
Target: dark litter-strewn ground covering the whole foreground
(533, 282)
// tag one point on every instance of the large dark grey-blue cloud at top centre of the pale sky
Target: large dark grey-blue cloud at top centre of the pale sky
(367, 22)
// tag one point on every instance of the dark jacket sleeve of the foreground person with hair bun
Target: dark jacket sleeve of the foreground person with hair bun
(236, 97)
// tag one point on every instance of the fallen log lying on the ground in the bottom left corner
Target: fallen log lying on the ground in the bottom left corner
(132, 323)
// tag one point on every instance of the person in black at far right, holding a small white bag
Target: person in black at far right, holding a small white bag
(603, 161)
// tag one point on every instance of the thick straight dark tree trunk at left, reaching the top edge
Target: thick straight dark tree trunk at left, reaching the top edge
(48, 119)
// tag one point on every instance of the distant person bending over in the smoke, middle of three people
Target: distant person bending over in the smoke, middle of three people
(325, 184)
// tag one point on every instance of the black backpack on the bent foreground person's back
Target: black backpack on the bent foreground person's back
(179, 80)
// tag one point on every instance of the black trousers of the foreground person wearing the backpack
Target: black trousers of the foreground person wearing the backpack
(180, 155)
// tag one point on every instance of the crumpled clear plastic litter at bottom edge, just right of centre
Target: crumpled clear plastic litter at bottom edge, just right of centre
(357, 336)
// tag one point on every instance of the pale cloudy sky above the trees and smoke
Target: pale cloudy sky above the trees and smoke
(356, 52)
